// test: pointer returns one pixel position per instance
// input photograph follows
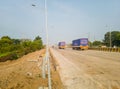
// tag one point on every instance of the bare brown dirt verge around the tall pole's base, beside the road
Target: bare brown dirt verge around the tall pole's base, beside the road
(26, 73)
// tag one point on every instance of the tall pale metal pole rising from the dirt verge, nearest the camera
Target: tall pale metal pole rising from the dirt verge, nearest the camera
(47, 47)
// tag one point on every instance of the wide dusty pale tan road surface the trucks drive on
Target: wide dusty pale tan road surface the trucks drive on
(88, 69)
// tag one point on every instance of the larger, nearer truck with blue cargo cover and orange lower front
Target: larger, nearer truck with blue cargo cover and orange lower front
(81, 43)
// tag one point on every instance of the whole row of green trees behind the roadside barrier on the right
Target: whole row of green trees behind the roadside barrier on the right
(112, 38)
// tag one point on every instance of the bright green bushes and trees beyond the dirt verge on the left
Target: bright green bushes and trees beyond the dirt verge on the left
(11, 49)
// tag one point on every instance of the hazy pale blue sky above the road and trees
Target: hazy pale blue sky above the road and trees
(67, 19)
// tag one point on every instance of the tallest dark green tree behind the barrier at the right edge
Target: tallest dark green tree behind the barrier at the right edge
(115, 38)
